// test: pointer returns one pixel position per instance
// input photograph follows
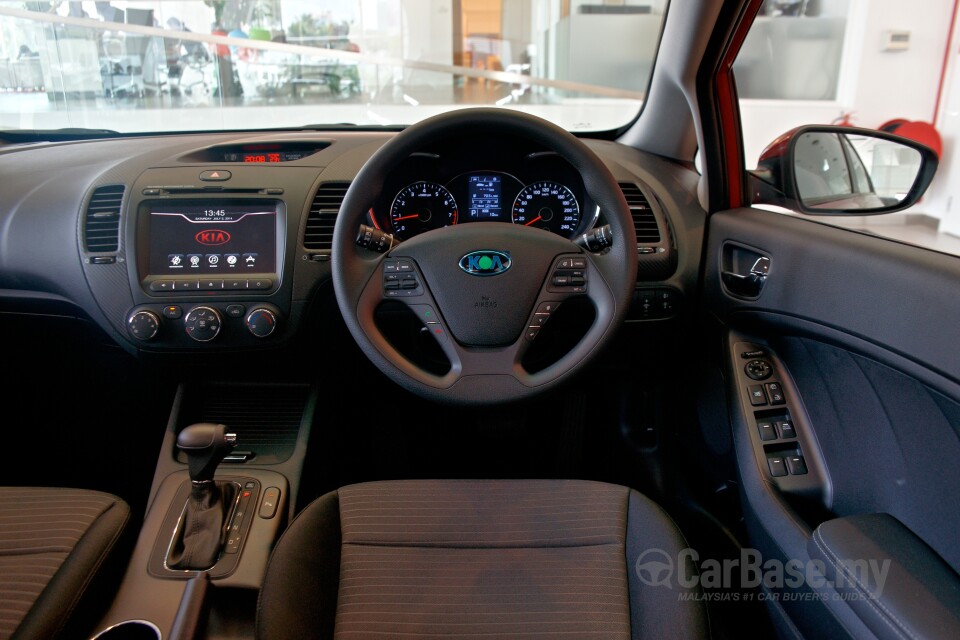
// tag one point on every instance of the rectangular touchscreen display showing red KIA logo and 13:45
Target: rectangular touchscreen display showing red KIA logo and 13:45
(212, 238)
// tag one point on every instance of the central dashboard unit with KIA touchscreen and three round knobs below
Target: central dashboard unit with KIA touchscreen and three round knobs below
(208, 263)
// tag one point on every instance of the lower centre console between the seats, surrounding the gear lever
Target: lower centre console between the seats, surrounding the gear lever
(156, 599)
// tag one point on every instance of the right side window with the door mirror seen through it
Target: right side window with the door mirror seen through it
(823, 62)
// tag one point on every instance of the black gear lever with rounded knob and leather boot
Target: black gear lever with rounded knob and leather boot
(200, 538)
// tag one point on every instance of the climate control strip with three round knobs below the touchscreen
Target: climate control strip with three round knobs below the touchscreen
(225, 323)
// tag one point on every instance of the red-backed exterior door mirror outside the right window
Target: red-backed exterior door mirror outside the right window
(831, 170)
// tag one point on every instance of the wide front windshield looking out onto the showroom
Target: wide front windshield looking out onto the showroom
(245, 64)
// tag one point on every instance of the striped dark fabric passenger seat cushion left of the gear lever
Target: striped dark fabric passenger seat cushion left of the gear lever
(53, 547)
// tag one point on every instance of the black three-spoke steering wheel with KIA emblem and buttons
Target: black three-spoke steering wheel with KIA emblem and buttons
(481, 288)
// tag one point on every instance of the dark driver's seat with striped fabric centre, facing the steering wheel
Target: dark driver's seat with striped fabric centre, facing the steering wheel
(478, 559)
